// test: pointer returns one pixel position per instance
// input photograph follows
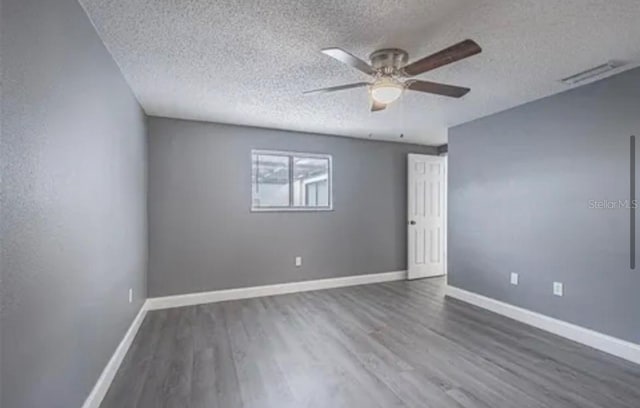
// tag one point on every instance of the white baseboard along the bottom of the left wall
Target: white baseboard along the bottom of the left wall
(104, 381)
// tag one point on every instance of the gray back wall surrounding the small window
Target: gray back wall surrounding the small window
(203, 237)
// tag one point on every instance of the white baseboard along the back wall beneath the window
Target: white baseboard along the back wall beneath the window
(270, 290)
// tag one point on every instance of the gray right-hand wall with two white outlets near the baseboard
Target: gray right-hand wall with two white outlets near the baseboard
(519, 188)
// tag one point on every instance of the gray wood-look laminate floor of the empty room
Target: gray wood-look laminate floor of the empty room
(398, 344)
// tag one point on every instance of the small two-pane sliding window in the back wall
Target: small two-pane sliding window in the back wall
(288, 181)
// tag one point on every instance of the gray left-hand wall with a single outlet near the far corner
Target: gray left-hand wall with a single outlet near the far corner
(73, 220)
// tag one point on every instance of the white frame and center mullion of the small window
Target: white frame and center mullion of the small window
(291, 155)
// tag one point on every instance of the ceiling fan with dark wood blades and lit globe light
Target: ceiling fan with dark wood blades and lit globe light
(389, 67)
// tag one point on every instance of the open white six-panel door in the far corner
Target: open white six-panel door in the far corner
(427, 216)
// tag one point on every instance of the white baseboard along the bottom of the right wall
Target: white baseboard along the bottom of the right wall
(608, 344)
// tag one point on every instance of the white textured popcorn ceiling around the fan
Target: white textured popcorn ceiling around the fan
(248, 61)
